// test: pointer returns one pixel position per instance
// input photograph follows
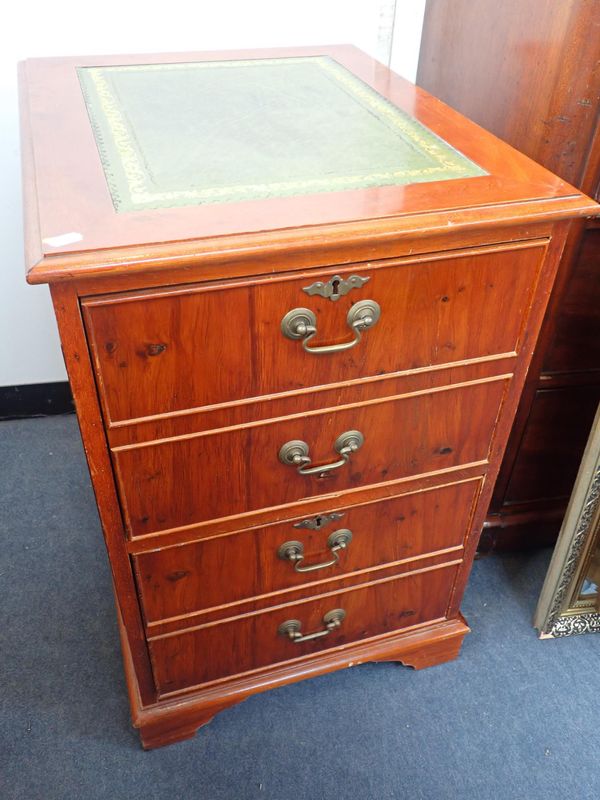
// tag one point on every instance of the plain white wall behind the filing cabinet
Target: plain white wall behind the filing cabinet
(29, 349)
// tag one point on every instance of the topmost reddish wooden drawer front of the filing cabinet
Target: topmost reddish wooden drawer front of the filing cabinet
(162, 351)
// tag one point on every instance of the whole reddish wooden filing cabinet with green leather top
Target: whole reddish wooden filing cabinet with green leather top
(297, 299)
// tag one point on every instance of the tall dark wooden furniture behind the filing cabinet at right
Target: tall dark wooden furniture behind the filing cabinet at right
(528, 70)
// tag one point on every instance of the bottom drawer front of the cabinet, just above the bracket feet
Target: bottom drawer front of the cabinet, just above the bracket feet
(247, 643)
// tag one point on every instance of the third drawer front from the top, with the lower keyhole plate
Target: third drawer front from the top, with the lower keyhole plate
(227, 569)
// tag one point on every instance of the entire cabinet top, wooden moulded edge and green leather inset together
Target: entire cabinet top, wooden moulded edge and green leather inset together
(132, 160)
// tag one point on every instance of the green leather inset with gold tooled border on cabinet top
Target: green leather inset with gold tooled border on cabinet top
(225, 131)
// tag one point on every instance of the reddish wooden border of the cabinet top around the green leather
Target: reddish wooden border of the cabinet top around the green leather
(66, 160)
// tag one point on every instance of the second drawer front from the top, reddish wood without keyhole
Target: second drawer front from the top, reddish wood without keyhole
(185, 481)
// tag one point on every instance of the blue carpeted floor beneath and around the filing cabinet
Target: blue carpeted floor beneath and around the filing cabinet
(512, 718)
